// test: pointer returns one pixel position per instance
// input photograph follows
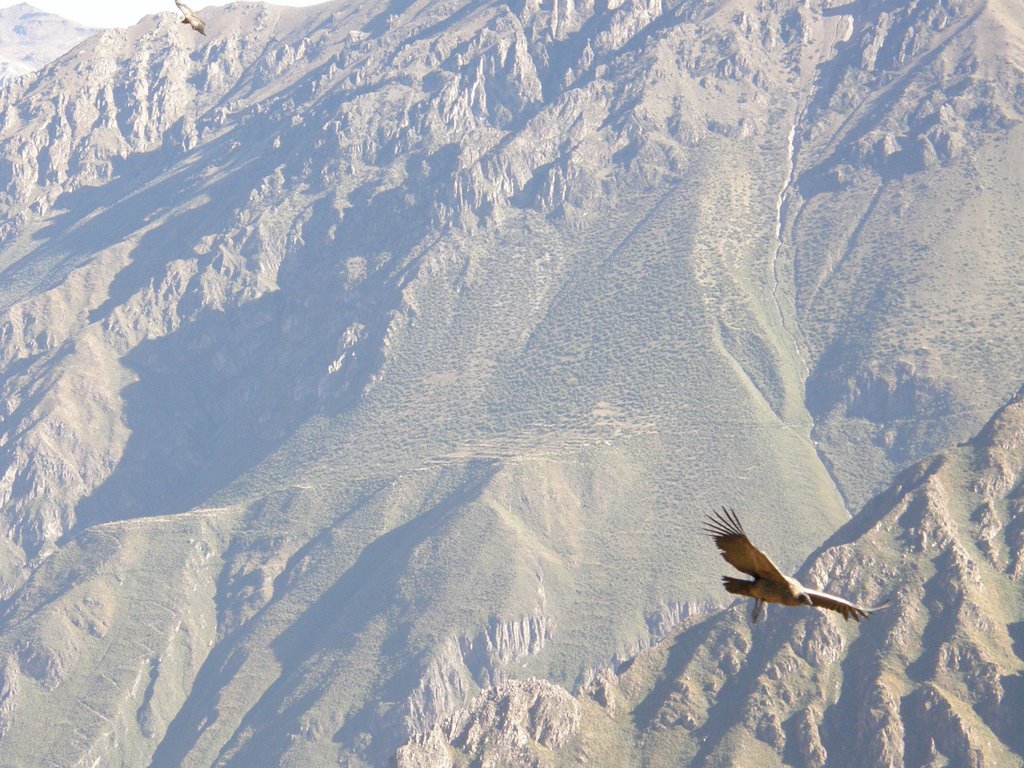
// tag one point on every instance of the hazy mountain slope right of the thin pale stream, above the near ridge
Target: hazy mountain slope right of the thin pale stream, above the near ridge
(903, 234)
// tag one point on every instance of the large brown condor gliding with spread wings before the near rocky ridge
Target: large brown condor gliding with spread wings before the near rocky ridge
(770, 585)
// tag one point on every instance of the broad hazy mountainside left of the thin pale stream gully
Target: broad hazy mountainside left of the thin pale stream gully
(408, 348)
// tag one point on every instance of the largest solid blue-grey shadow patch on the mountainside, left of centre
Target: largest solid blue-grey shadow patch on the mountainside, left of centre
(226, 390)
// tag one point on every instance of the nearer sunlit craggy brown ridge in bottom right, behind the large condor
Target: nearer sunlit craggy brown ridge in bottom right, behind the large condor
(936, 679)
